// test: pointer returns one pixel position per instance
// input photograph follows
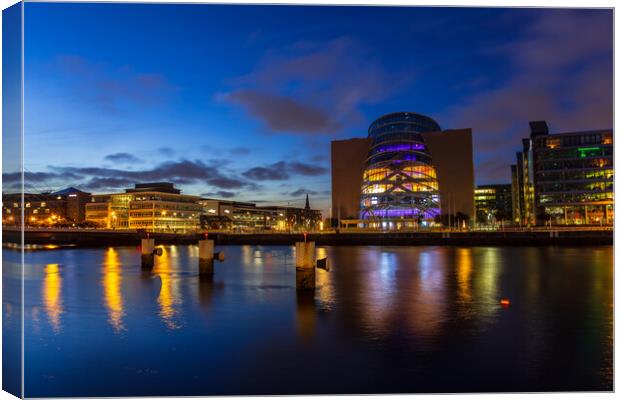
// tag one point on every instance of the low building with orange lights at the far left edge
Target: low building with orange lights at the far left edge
(64, 207)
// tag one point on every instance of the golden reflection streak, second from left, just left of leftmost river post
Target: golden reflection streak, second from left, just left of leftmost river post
(112, 279)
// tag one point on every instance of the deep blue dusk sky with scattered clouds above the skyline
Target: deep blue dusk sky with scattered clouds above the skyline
(242, 101)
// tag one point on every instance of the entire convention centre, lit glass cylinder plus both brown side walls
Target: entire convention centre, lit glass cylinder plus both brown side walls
(406, 171)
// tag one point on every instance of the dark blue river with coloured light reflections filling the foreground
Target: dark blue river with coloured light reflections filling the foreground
(385, 319)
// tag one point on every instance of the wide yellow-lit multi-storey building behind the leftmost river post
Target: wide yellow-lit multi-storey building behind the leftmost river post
(154, 207)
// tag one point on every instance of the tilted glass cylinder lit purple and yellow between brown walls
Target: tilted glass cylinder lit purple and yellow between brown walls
(399, 178)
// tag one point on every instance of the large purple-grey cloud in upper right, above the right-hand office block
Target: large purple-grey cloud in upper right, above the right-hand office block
(563, 74)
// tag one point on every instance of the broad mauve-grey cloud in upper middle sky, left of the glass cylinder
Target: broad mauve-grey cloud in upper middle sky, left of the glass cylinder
(312, 87)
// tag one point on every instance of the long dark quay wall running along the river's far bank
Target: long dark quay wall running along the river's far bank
(96, 238)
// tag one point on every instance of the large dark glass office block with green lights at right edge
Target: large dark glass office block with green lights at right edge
(565, 178)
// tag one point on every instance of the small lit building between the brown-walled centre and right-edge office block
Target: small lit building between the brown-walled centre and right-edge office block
(493, 204)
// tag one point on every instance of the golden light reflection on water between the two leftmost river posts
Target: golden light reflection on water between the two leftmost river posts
(169, 300)
